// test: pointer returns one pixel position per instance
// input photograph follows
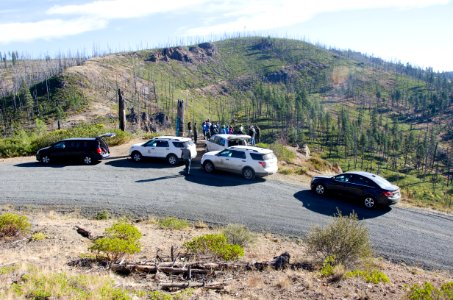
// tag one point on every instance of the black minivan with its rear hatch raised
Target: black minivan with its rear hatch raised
(86, 150)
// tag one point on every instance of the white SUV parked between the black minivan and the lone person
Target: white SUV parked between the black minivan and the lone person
(165, 147)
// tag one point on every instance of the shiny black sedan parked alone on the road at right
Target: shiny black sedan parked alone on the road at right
(370, 189)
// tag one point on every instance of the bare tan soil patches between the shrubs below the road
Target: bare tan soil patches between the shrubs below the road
(63, 245)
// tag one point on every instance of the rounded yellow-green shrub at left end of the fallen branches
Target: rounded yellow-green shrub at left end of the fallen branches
(120, 239)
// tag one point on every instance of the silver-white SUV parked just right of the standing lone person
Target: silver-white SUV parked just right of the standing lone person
(246, 160)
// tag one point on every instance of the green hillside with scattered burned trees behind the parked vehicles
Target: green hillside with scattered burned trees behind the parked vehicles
(357, 111)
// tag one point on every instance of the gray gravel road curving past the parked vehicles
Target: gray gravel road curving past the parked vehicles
(414, 236)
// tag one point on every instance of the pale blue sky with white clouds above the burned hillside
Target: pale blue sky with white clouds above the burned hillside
(418, 32)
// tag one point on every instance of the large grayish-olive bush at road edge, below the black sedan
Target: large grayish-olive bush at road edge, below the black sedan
(345, 239)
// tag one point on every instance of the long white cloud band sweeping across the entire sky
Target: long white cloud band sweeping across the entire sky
(221, 16)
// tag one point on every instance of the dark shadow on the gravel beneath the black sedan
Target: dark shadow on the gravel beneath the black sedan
(330, 206)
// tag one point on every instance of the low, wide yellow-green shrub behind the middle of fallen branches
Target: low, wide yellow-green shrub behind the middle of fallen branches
(215, 244)
